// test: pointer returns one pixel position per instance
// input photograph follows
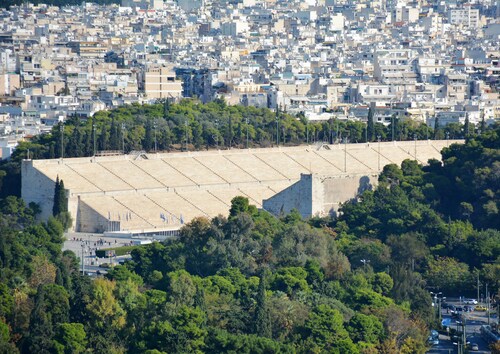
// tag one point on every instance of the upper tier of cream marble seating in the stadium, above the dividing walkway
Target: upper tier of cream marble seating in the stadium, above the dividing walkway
(228, 167)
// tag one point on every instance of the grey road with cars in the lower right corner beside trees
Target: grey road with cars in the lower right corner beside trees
(474, 320)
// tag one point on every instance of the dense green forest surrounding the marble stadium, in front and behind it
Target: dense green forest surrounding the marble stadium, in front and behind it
(254, 283)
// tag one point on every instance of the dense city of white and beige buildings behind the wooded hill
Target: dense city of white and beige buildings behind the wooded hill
(416, 60)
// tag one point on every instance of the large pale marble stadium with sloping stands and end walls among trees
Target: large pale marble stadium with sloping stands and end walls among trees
(276, 170)
